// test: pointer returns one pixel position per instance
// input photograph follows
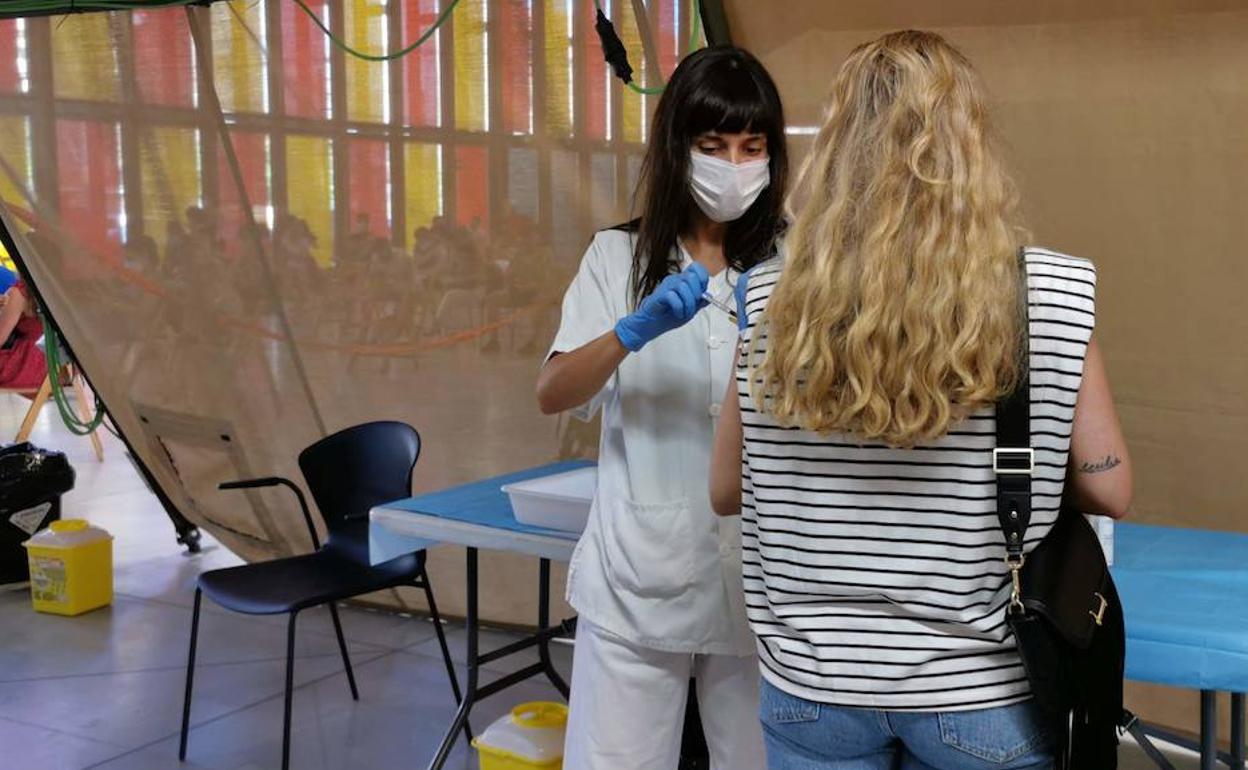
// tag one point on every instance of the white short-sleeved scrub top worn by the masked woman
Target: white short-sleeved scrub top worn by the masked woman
(656, 566)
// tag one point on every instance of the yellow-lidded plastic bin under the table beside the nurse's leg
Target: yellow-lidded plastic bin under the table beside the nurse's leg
(530, 737)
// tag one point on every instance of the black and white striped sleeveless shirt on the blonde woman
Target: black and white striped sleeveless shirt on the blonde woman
(874, 576)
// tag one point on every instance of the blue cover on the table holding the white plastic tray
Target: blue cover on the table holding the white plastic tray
(482, 504)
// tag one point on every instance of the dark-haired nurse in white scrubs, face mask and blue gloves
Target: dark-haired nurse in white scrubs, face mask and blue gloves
(657, 577)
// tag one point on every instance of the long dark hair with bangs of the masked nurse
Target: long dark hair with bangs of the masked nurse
(721, 89)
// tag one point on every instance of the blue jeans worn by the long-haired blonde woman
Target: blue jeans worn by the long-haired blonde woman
(806, 736)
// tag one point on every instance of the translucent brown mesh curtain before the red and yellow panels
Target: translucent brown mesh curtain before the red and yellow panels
(417, 223)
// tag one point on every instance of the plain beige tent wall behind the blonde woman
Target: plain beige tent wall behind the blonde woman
(1128, 125)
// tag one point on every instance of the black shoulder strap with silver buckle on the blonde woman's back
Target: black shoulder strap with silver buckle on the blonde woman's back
(1014, 461)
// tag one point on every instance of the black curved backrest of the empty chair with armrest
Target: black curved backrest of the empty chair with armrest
(358, 469)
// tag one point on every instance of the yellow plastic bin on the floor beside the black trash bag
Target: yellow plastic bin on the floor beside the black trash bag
(71, 568)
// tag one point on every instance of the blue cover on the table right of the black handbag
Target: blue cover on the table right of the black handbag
(1185, 595)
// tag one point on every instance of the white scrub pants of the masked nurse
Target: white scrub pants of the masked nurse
(628, 707)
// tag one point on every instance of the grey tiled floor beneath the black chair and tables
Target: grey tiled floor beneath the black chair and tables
(105, 691)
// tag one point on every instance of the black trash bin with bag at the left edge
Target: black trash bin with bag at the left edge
(32, 485)
